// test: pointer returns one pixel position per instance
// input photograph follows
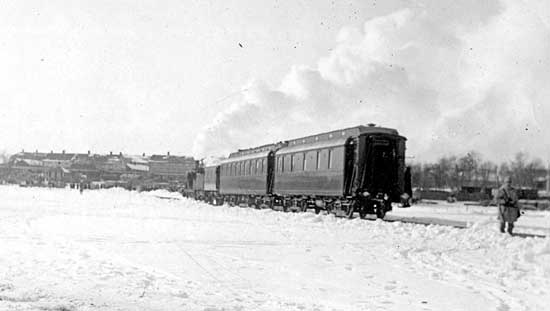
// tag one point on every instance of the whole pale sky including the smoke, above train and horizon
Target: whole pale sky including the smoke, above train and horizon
(205, 77)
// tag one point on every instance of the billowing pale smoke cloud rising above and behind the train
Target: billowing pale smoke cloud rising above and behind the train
(450, 76)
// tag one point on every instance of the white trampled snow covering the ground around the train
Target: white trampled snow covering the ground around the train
(120, 250)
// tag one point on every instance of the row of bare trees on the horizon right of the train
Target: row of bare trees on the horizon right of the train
(454, 172)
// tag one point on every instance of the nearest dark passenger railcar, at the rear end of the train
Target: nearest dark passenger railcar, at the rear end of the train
(359, 169)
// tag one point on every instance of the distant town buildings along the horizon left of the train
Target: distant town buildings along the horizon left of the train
(59, 169)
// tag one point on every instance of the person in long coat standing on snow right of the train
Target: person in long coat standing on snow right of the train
(508, 208)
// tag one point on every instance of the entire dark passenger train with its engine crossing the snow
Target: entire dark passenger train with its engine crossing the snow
(359, 169)
